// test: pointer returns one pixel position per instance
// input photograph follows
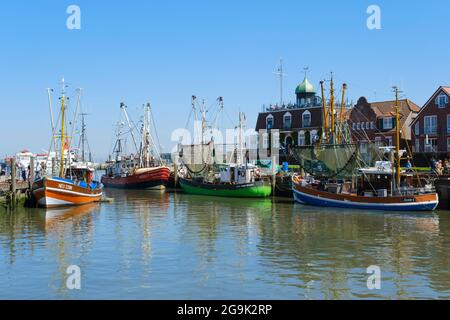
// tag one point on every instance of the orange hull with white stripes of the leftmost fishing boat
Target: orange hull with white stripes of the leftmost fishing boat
(54, 192)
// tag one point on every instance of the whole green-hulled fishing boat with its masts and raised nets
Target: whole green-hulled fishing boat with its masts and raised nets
(206, 174)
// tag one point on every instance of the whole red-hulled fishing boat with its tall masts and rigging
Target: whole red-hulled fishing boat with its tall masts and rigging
(143, 170)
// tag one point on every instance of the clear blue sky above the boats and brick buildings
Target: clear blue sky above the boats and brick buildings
(165, 51)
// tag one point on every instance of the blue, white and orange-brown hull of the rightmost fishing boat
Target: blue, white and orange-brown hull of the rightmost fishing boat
(310, 196)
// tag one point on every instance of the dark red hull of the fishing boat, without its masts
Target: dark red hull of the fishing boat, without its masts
(153, 178)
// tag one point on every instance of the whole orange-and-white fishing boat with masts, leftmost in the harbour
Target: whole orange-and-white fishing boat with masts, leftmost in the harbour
(74, 185)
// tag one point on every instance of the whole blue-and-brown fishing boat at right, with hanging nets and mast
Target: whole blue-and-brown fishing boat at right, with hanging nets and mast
(382, 187)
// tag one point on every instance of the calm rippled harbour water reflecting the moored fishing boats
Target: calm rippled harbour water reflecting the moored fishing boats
(152, 245)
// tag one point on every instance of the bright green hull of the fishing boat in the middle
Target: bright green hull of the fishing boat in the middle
(249, 190)
